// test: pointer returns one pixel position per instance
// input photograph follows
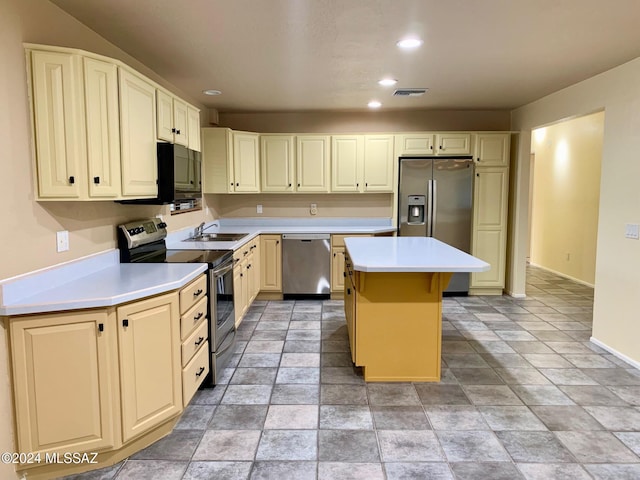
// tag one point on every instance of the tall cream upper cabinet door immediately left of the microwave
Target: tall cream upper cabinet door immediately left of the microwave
(138, 136)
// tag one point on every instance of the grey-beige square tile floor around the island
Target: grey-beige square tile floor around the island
(524, 395)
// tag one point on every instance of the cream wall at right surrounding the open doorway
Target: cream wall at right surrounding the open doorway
(617, 276)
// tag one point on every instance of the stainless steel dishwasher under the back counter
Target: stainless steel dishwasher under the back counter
(306, 265)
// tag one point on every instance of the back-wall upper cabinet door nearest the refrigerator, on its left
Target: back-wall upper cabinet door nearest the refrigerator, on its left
(378, 163)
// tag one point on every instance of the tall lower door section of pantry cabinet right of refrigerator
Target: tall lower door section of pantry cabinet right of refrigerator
(490, 229)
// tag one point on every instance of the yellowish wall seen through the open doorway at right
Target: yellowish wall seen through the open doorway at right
(566, 195)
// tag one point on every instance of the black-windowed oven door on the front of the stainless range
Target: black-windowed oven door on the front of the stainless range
(221, 298)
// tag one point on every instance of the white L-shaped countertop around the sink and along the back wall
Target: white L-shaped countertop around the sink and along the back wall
(256, 226)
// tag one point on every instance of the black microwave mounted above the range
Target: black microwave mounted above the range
(179, 175)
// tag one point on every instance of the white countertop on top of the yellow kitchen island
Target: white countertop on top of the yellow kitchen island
(409, 254)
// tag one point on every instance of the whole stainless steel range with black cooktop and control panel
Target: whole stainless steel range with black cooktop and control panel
(143, 241)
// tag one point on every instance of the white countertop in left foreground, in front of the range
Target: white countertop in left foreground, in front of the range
(112, 285)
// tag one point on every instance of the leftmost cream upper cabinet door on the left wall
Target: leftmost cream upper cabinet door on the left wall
(57, 119)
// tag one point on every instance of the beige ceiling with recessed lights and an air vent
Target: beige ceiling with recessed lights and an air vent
(311, 55)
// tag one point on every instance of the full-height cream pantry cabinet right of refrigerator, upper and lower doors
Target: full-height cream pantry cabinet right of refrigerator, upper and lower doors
(490, 204)
